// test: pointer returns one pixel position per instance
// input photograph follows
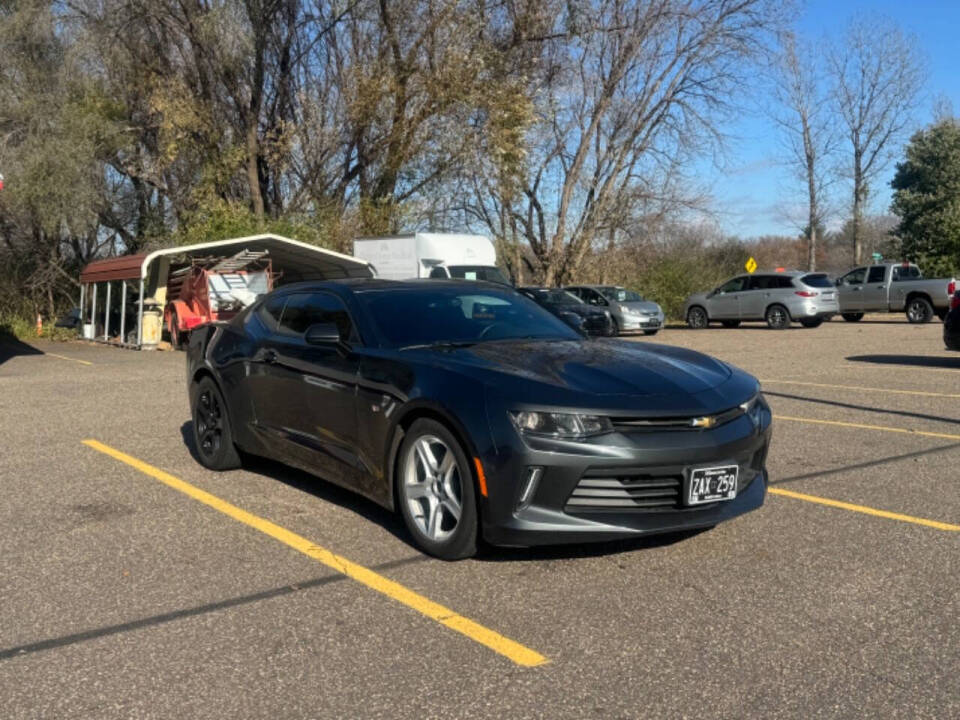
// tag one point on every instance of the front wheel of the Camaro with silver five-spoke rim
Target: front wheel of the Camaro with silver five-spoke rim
(435, 491)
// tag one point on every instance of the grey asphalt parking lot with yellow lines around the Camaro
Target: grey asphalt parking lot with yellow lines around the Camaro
(134, 583)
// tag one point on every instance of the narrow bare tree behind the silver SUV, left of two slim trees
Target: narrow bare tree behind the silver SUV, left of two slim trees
(803, 115)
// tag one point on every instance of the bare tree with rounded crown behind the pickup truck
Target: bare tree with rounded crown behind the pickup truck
(877, 72)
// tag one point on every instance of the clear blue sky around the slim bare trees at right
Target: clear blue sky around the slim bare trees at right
(754, 191)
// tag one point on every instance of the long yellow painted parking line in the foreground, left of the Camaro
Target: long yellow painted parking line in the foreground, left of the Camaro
(516, 652)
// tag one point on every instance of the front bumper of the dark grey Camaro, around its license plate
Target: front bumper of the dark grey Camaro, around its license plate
(663, 458)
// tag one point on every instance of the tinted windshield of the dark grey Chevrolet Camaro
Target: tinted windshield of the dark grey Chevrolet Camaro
(454, 315)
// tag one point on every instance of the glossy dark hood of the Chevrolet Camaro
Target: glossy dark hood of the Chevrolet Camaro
(601, 373)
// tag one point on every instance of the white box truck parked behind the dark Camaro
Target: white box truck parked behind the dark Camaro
(431, 255)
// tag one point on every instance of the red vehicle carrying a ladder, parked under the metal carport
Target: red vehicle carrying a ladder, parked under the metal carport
(214, 288)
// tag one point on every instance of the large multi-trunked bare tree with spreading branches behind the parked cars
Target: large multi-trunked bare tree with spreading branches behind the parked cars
(627, 92)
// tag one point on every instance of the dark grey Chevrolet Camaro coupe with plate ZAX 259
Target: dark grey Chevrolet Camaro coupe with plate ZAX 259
(473, 411)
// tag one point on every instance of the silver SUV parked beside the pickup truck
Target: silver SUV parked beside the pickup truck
(778, 298)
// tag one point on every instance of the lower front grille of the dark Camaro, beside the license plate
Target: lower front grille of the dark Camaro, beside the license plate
(612, 489)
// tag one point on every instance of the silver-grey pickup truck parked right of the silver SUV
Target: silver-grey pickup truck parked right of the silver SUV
(893, 287)
